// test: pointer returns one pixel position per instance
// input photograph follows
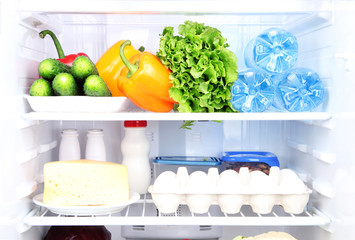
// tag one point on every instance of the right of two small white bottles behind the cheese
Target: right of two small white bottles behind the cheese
(95, 146)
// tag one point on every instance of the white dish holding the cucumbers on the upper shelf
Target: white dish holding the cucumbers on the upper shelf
(78, 104)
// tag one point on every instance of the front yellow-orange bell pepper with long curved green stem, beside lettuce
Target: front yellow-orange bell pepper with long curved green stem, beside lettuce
(145, 81)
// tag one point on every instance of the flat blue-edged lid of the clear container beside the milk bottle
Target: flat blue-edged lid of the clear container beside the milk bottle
(188, 160)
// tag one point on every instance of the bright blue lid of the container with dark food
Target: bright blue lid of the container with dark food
(251, 156)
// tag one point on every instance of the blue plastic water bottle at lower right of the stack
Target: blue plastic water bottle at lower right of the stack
(299, 90)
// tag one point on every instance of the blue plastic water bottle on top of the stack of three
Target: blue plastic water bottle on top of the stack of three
(275, 50)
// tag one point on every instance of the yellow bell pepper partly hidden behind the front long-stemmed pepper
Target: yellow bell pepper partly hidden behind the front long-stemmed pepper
(110, 65)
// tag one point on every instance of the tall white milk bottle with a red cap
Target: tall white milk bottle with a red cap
(135, 149)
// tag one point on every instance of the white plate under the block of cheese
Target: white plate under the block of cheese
(86, 210)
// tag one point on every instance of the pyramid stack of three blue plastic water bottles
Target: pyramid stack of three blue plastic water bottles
(271, 82)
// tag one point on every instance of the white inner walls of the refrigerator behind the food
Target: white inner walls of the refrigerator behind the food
(322, 152)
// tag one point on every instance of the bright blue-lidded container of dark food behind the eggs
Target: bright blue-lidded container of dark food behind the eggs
(254, 160)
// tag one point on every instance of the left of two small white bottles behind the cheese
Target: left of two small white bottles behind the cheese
(69, 148)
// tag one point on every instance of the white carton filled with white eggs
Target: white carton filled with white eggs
(230, 191)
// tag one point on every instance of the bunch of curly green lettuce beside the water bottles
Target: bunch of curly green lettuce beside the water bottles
(203, 69)
